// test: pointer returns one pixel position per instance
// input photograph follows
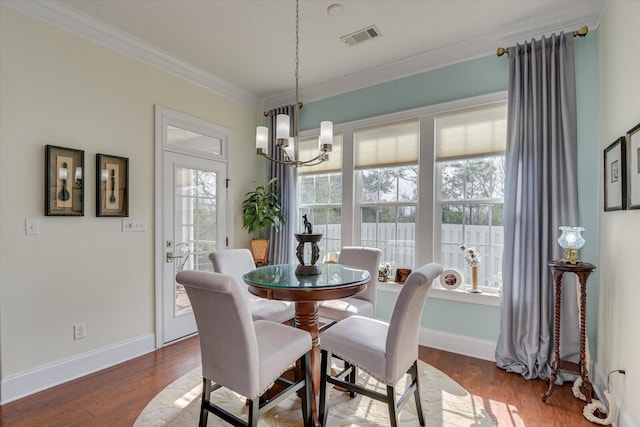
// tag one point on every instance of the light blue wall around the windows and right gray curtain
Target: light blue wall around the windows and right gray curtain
(464, 80)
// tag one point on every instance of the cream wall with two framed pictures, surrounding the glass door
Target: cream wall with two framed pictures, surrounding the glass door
(57, 88)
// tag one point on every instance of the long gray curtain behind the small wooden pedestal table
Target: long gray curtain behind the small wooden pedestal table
(541, 195)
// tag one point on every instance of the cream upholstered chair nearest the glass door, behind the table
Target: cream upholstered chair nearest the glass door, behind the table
(236, 262)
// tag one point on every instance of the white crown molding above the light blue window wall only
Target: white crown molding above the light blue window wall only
(438, 58)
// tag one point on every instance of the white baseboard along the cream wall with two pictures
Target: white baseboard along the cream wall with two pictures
(23, 384)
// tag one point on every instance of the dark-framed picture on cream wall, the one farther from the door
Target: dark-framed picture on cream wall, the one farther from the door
(64, 183)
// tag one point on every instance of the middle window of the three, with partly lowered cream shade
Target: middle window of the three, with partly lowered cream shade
(386, 160)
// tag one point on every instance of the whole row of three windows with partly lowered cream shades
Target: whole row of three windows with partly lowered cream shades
(416, 184)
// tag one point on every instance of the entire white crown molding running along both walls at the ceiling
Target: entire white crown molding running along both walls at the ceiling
(62, 16)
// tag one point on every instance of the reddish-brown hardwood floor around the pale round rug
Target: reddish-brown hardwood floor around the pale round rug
(115, 396)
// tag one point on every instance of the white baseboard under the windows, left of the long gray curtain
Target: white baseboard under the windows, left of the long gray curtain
(460, 344)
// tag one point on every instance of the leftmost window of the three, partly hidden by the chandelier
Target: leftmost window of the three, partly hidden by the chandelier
(320, 194)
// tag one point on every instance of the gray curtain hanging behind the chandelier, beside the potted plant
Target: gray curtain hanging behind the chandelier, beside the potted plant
(280, 242)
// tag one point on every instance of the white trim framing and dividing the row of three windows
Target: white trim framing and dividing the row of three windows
(426, 218)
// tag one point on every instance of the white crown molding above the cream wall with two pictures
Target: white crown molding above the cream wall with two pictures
(60, 15)
